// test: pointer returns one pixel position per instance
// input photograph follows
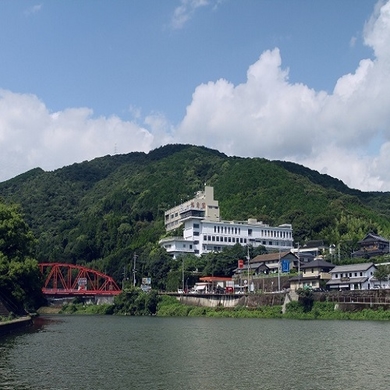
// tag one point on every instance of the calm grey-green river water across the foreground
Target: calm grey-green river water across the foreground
(113, 352)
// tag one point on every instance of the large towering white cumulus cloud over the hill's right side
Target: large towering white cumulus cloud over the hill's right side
(270, 117)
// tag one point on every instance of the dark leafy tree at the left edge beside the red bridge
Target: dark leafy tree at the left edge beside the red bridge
(20, 279)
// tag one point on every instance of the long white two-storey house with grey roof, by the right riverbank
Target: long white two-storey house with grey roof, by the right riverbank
(352, 277)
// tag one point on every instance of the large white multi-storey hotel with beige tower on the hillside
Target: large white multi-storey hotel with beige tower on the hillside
(204, 231)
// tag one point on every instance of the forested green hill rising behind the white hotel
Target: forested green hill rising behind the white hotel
(110, 207)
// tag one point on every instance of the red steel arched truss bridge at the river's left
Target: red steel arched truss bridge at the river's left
(72, 280)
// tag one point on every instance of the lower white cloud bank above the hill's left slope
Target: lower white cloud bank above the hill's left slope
(31, 136)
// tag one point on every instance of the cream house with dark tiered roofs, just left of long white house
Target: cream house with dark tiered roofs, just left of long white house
(314, 274)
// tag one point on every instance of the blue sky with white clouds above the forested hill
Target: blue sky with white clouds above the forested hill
(302, 81)
